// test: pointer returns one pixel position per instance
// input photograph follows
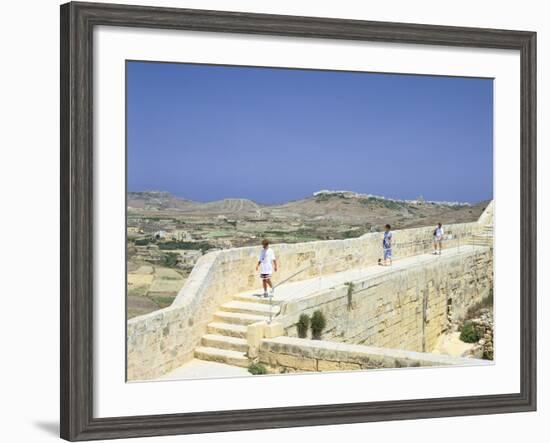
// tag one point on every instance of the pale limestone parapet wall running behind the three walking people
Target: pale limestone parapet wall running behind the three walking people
(165, 339)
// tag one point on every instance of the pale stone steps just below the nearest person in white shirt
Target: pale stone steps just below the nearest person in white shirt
(225, 340)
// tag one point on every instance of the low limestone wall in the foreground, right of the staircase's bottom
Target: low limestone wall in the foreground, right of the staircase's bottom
(296, 354)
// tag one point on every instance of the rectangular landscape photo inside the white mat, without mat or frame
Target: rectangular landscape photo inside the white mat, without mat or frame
(283, 221)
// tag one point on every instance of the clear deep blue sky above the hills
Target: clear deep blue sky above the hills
(273, 135)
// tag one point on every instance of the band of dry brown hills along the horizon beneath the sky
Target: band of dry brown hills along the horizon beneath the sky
(346, 207)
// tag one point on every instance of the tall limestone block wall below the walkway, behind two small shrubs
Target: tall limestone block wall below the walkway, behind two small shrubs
(405, 309)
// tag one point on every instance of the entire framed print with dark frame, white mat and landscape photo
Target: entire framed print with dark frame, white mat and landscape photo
(272, 221)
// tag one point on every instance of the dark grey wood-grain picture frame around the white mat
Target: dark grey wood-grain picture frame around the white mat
(77, 23)
